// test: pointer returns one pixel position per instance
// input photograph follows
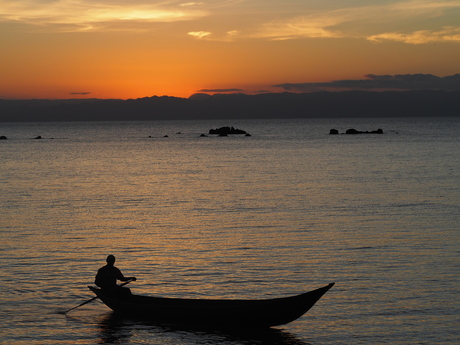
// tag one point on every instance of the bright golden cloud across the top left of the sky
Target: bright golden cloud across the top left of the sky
(86, 15)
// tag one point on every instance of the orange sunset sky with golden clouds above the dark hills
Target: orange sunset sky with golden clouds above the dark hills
(140, 48)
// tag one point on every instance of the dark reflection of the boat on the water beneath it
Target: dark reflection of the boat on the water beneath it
(116, 329)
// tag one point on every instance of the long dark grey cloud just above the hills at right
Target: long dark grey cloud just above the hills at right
(382, 82)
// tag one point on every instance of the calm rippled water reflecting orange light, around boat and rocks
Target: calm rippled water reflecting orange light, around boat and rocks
(287, 210)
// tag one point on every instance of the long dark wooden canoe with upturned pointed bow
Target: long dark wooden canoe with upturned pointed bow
(214, 312)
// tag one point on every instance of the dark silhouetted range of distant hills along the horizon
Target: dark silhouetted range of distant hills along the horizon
(238, 106)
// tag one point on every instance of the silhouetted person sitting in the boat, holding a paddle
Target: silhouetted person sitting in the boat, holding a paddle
(107, 276)
